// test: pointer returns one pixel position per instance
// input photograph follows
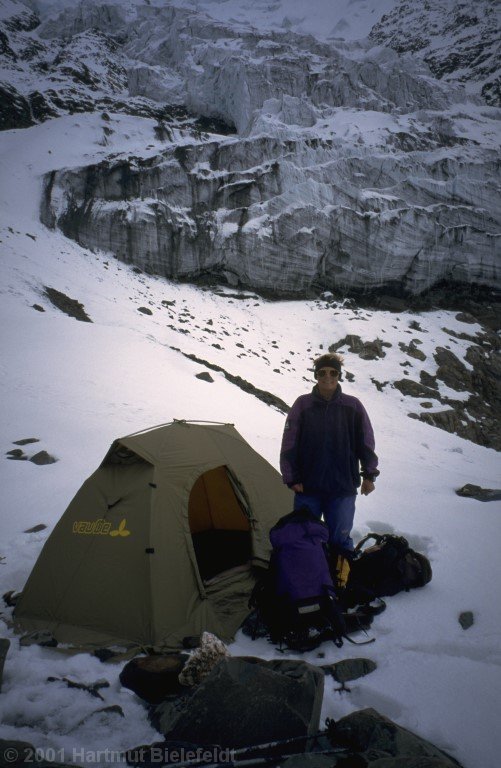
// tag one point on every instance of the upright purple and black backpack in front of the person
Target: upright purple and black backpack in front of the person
(296, 599)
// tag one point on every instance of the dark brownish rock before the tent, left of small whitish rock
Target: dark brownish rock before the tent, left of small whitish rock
(154, 678)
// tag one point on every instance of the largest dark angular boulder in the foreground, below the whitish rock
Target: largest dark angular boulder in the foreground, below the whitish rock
(247, 701)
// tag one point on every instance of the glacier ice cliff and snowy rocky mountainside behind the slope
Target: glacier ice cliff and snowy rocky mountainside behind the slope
(277, 155)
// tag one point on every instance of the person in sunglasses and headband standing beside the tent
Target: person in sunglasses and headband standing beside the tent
(328, 443)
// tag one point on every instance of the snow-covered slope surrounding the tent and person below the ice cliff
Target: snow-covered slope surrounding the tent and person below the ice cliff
(76, 386)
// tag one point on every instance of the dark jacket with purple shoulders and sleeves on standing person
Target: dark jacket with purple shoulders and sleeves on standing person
(327, 444)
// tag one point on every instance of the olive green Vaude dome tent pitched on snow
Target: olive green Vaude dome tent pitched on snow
(159, 543)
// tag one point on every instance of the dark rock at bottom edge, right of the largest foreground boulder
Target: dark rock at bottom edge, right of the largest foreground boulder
(367, 731)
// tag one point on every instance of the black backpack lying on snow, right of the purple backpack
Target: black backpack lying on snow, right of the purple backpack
(383, 569)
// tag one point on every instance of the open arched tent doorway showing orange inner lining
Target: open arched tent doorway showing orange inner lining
(219, 523)
